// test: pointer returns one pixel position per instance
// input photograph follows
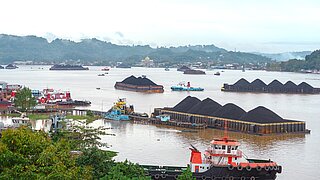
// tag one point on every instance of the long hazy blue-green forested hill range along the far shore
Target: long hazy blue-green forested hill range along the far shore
(15, 48)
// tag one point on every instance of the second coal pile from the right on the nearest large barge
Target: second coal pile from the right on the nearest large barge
(230, 111)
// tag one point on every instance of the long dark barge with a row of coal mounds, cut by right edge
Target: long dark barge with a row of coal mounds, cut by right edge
(275, 86)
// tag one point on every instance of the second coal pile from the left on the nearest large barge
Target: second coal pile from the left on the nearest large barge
(206, 107)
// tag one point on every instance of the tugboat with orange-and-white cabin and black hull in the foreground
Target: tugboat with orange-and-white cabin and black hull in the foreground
(222, 160)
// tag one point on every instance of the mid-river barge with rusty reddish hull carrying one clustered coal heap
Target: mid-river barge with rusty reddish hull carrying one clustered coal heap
(140, 84)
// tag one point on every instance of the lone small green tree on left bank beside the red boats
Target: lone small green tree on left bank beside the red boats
(24, 99)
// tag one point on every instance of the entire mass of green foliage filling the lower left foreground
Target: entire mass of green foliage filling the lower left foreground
(25, 154)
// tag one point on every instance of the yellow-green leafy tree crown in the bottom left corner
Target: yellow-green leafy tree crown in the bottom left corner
(25, 154)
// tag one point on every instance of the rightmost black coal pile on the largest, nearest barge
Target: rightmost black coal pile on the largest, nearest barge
(261, 115)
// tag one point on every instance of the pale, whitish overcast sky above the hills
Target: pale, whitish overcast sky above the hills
(269, 26)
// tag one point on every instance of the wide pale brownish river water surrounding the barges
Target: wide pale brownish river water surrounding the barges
(159, 145)
